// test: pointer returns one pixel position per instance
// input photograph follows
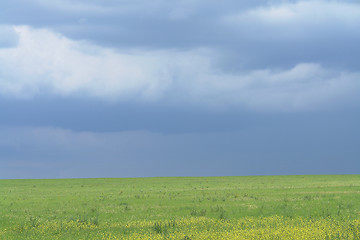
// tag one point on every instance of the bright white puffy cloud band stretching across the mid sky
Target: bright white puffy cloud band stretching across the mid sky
(44, 62)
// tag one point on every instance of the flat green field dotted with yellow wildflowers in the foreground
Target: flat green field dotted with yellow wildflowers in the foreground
(257, 207)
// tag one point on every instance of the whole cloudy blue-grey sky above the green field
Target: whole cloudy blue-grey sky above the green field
(120, 88)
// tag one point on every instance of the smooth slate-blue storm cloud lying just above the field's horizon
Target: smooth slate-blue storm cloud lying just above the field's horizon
(305, 145)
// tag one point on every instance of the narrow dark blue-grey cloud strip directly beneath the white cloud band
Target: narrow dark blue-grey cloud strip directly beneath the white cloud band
(84, 115)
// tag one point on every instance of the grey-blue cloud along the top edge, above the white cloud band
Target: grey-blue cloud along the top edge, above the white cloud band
(247, 44)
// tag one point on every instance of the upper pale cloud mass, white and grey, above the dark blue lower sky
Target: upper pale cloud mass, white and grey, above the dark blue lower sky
(278, 55)
